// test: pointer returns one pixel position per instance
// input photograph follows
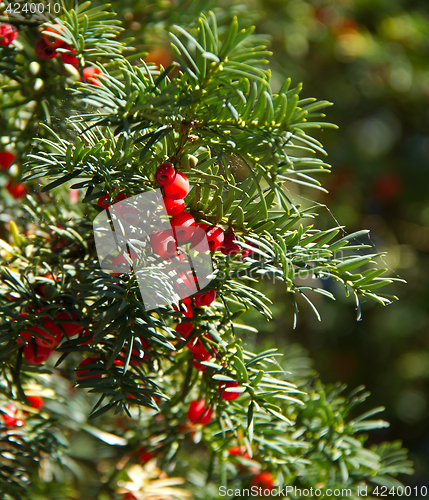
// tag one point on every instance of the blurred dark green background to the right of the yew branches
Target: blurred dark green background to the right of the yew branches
(371, 59)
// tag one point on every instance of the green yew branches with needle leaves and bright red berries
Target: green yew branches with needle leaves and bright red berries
(83, 112)
